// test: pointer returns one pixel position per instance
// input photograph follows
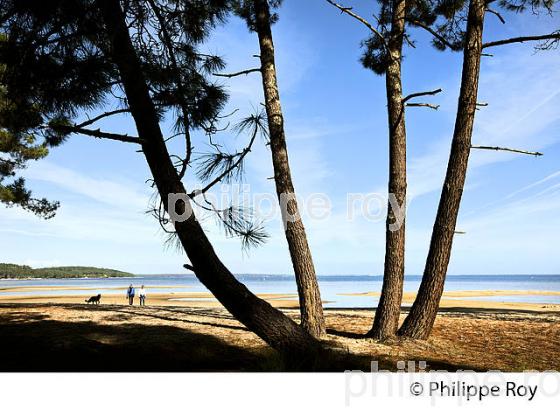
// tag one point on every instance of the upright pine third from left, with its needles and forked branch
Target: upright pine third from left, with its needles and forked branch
(383, 54)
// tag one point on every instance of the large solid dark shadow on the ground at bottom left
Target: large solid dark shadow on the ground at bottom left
(51, 345)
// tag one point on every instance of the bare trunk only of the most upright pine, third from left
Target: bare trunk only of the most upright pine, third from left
(388, 311)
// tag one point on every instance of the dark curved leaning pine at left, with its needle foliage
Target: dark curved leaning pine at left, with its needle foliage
(66, 59)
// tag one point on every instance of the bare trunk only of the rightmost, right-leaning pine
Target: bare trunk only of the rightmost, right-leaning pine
(420, 320)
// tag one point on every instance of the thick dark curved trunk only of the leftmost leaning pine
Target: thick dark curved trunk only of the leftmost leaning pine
(267, 322)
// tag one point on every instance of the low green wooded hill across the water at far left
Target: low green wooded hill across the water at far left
(12, 271)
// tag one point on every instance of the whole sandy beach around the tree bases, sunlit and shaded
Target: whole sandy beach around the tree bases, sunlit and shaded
(190, 331)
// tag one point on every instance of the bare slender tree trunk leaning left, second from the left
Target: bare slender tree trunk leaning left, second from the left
(308, 289)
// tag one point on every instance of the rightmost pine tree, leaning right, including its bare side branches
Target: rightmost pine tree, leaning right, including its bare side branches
(420, 321)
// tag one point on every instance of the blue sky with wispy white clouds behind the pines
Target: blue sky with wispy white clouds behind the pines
(337, 138)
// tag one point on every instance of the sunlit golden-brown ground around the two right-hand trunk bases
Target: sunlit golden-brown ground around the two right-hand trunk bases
(465, 339)
